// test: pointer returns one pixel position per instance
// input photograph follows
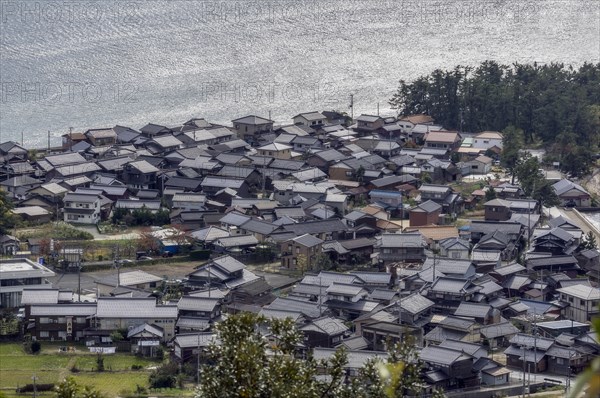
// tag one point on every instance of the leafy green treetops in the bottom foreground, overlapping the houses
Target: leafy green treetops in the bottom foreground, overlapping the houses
(245, 363)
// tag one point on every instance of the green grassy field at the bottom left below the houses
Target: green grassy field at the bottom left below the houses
(51, 366)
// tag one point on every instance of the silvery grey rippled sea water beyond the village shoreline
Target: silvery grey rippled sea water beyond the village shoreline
(96, 64)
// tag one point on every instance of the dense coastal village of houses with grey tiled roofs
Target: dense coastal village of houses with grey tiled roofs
(364, 215)
